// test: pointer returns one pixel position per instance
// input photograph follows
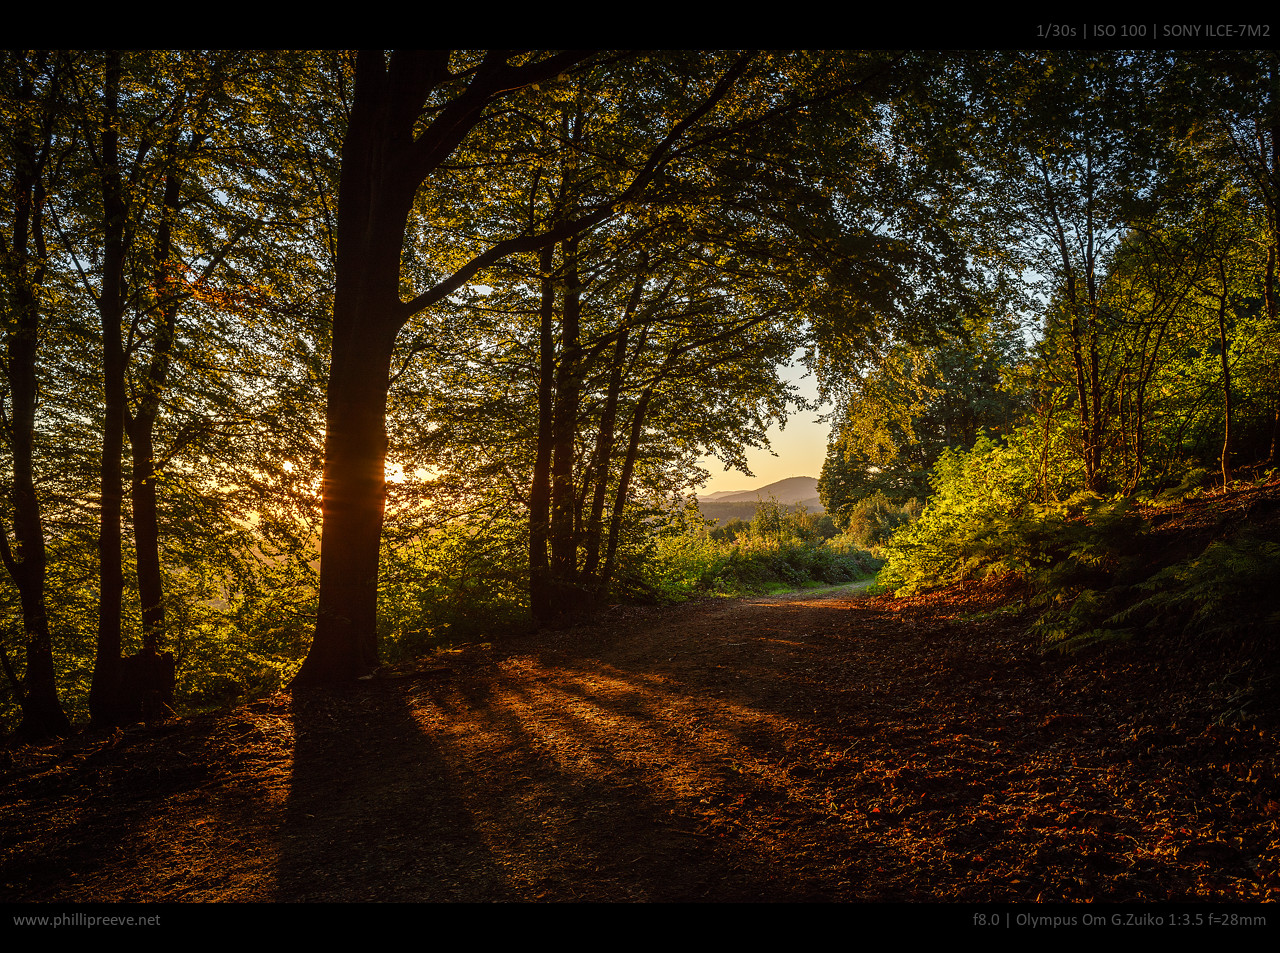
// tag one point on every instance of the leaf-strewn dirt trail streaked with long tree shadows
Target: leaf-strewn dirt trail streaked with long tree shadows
(825, 746)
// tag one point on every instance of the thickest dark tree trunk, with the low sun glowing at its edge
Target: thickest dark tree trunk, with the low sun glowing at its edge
(374, 200)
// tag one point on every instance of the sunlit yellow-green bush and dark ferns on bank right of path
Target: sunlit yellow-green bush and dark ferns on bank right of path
(1098, 570)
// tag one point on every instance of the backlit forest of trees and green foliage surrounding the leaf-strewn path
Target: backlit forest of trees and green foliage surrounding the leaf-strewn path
(317, 361)
